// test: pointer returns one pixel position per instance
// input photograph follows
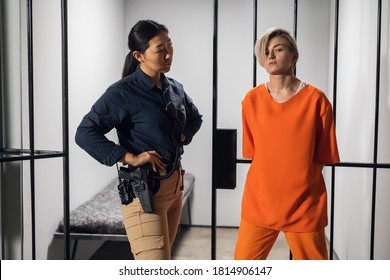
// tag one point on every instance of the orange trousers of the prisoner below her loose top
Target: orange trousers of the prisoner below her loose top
(255, 243)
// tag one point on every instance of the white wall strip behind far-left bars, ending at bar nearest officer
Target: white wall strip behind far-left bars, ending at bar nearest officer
(47, 124)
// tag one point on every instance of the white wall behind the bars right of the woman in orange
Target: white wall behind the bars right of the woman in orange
(355, 130)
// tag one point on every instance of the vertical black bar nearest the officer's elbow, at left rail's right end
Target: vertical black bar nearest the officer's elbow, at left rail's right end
(65, 124)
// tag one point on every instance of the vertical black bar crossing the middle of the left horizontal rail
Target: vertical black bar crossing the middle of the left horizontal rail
(31, 118)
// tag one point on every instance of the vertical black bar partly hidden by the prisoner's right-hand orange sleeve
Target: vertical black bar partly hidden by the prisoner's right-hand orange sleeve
(333, 172)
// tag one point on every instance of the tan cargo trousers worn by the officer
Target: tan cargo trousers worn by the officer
(151, 235)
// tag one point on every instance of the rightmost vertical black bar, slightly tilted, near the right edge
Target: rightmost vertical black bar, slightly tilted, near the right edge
(374, 175)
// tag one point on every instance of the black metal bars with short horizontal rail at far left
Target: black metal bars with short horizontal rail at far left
(12, 155)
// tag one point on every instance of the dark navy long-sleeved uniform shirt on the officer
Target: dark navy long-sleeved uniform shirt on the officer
(146, 118)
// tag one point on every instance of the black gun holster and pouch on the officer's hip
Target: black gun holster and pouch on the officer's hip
(138, 182)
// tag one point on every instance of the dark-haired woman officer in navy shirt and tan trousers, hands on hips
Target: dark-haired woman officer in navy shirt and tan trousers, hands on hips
(154, 118)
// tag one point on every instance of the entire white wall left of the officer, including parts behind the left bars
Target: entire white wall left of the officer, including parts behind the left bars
(95, 61)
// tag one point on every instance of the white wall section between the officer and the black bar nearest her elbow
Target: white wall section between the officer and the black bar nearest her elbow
(96, 56)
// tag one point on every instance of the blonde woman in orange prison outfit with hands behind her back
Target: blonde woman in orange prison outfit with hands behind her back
(289, 133)
